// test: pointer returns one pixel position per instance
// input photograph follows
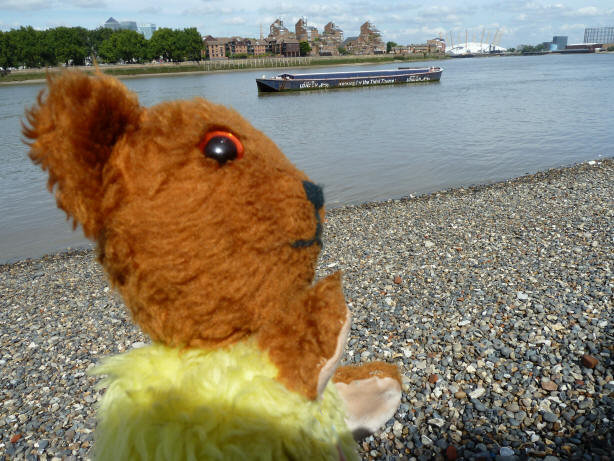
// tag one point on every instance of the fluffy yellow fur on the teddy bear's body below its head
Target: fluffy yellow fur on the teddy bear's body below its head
(163, 403)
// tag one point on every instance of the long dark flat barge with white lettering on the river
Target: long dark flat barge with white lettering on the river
(318, 81)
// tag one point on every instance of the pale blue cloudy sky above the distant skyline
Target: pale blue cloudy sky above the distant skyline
(401, 21)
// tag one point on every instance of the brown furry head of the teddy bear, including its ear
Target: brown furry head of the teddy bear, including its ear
(201, 222)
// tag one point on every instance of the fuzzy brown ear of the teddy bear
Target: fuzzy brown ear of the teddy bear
(72, 130)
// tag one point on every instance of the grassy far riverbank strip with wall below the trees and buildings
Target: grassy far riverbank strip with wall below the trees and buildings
(205, 67)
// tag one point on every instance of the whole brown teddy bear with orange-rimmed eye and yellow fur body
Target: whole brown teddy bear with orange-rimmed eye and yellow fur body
(211, 236)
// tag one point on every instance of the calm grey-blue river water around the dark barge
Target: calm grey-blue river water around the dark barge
(488, 119)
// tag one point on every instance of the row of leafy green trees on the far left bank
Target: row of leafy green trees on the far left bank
(28, 47)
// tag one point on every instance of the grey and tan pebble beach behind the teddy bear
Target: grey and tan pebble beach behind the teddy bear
(495, 301)
